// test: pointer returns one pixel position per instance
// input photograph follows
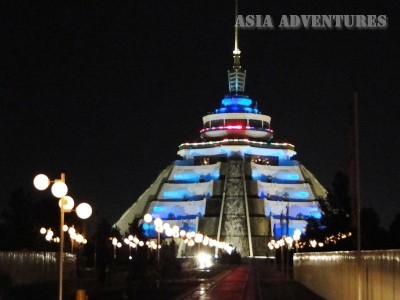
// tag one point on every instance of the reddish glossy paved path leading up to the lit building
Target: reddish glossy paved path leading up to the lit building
(252, 279)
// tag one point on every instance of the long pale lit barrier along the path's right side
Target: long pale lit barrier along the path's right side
(334, 275)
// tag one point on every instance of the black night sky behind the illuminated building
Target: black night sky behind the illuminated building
(106, 91)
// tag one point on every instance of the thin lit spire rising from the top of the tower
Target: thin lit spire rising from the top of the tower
(236, 76)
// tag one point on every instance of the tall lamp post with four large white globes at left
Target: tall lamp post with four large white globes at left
(59, 190)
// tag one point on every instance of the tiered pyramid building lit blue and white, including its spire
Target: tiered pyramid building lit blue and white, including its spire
(236, 185)
